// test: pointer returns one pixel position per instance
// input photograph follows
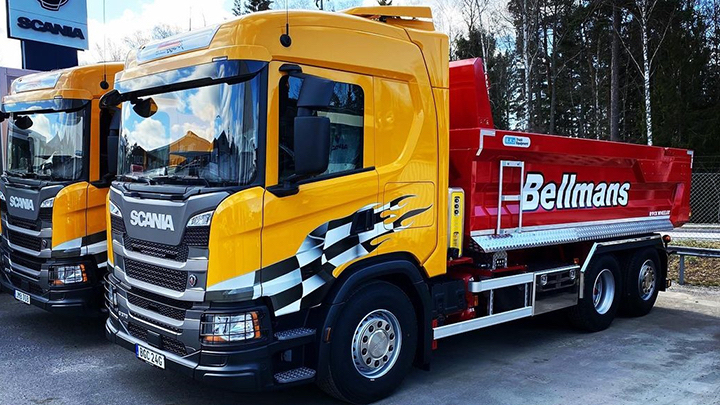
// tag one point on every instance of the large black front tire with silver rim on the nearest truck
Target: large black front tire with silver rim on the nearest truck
(373, 345)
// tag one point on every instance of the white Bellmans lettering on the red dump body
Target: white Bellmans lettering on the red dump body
(571, 193)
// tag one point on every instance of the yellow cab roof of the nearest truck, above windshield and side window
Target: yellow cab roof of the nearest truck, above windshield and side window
(369, 40)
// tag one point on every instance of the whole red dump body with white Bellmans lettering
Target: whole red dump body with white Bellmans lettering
(572, 189)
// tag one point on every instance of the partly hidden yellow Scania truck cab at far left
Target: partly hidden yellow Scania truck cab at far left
(53, 191)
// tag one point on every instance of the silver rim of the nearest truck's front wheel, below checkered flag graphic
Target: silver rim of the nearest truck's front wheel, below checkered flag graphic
(376, 344)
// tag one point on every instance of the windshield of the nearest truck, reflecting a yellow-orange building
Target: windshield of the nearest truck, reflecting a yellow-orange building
(206, 135)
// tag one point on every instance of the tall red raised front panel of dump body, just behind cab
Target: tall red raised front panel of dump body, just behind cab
(469, 102)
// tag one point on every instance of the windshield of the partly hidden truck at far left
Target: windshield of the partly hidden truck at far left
(47, 145)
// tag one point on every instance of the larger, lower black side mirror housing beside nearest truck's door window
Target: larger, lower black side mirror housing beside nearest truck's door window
(311, 145)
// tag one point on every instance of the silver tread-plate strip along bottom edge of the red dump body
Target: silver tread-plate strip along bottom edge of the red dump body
(599, 230)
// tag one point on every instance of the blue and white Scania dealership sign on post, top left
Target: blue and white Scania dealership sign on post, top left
(59, 22)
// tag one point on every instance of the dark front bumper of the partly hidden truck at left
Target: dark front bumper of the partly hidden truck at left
(84, 299)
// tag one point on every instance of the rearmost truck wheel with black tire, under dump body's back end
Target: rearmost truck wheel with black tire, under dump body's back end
(641, 285)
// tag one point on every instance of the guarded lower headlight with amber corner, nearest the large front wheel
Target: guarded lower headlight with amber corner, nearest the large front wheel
(224, 328)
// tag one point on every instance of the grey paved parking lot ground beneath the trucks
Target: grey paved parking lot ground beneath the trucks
(672, 356)
